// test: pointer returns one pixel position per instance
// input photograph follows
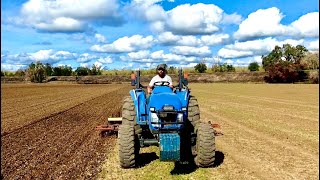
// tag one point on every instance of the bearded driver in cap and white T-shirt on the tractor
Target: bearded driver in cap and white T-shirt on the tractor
(161, 76)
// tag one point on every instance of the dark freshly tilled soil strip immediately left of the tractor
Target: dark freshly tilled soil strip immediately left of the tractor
(62, 146)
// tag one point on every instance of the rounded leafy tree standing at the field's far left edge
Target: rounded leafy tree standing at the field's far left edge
(36, 72)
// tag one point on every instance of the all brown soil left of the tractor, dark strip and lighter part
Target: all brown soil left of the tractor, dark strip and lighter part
(57, 142)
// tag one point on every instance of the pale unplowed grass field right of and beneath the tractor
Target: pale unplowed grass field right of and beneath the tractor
(271, 131)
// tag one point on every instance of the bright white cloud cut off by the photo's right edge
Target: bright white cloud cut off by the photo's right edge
(307, 25)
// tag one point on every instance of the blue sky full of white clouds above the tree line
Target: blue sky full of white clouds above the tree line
(140, 34)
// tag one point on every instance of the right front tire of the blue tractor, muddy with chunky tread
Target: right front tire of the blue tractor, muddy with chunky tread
(205, 145)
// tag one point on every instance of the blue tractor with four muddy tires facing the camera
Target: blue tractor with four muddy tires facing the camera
(169, 119)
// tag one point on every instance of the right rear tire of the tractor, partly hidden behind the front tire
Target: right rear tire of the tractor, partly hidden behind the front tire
(193, 111)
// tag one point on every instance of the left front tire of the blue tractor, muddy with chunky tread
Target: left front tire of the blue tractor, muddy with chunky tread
(128, 146)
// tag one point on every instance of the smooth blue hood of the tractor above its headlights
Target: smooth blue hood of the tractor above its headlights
(158, 101)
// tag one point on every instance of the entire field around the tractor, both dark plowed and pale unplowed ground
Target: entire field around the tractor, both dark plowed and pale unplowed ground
(270, 132)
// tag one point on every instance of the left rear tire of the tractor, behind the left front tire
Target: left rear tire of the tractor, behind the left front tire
(129, 114)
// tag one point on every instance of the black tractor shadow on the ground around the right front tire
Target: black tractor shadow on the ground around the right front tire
(187, 168)
